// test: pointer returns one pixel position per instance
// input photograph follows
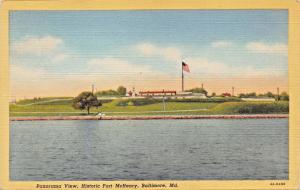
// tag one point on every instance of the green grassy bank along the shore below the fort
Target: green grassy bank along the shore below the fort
(64, 108)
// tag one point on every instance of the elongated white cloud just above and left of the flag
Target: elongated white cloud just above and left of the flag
(168, 53)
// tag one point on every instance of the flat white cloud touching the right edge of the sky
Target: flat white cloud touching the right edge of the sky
(275, 48)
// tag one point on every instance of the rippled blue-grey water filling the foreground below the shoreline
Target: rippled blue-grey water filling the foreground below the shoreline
(149, 150)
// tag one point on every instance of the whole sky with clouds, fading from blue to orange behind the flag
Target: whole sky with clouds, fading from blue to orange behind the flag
(145, 48)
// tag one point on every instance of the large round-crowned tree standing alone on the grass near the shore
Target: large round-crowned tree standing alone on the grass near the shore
(86, 100)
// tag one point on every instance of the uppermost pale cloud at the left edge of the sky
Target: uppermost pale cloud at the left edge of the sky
(37, 45)
